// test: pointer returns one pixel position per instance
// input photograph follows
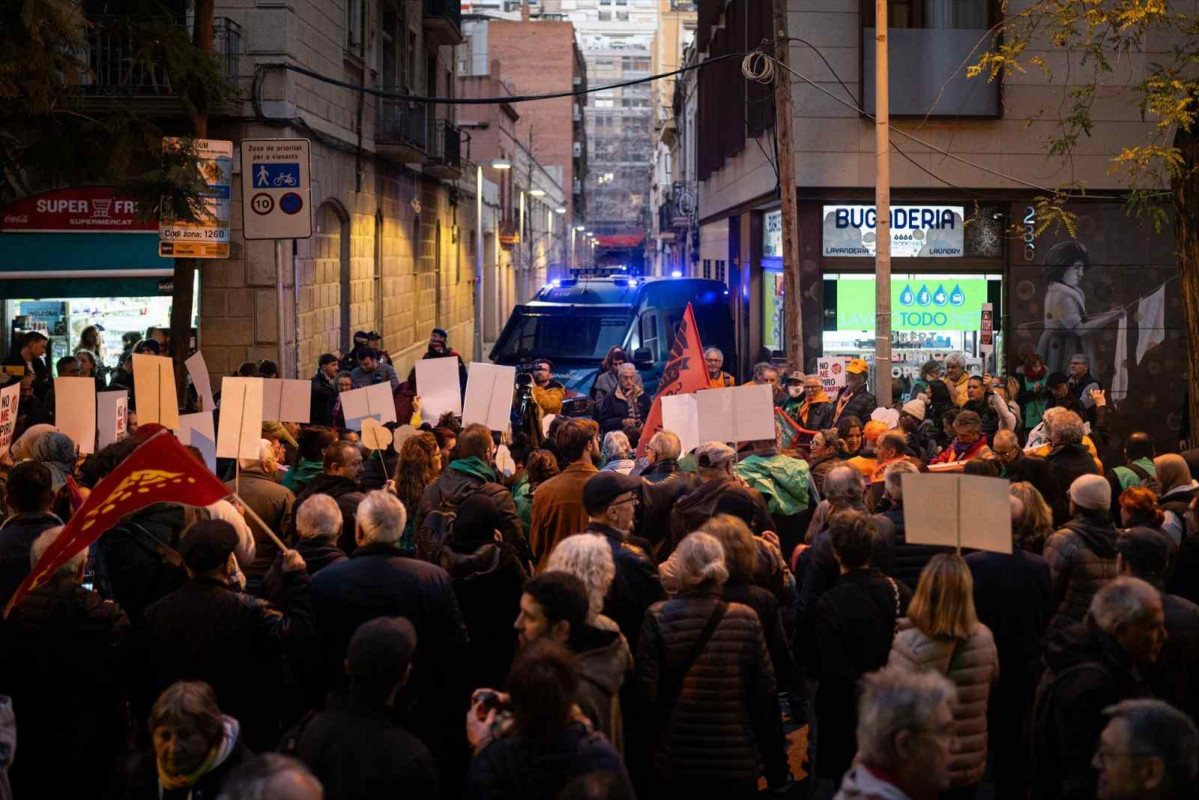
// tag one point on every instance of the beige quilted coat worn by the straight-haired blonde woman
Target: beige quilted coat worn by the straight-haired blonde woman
(973, 666)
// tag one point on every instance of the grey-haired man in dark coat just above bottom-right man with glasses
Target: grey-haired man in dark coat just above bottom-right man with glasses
(1090, 667)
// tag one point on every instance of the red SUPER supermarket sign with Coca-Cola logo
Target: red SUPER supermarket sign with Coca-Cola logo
(82, 209)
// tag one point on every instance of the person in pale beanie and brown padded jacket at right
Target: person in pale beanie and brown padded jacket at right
(1082, 556)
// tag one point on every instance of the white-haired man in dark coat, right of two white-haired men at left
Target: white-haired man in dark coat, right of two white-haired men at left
(379, 581)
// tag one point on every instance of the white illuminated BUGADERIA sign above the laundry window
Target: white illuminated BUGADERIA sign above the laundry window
(917, 232)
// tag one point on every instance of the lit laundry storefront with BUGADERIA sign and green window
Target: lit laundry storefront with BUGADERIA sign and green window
(943, 273)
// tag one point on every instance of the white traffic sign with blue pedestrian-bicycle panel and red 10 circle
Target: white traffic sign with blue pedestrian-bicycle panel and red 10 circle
(276, 189)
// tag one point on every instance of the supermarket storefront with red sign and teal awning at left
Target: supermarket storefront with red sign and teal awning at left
(80, 257)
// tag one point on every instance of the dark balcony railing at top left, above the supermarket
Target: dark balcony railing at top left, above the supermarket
(126, 71)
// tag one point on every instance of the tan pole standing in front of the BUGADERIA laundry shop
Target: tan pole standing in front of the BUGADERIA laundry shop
(882, 210)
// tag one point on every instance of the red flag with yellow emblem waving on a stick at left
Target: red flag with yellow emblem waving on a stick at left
(161, 471)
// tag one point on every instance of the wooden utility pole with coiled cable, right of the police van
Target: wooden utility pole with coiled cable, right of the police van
(794, 321)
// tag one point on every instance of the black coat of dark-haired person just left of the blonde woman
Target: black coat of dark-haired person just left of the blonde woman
(854, 625)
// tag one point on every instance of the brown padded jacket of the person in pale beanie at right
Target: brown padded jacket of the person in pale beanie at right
(1082, 560)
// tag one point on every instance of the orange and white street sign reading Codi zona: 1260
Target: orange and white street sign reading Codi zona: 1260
(209, 236)
